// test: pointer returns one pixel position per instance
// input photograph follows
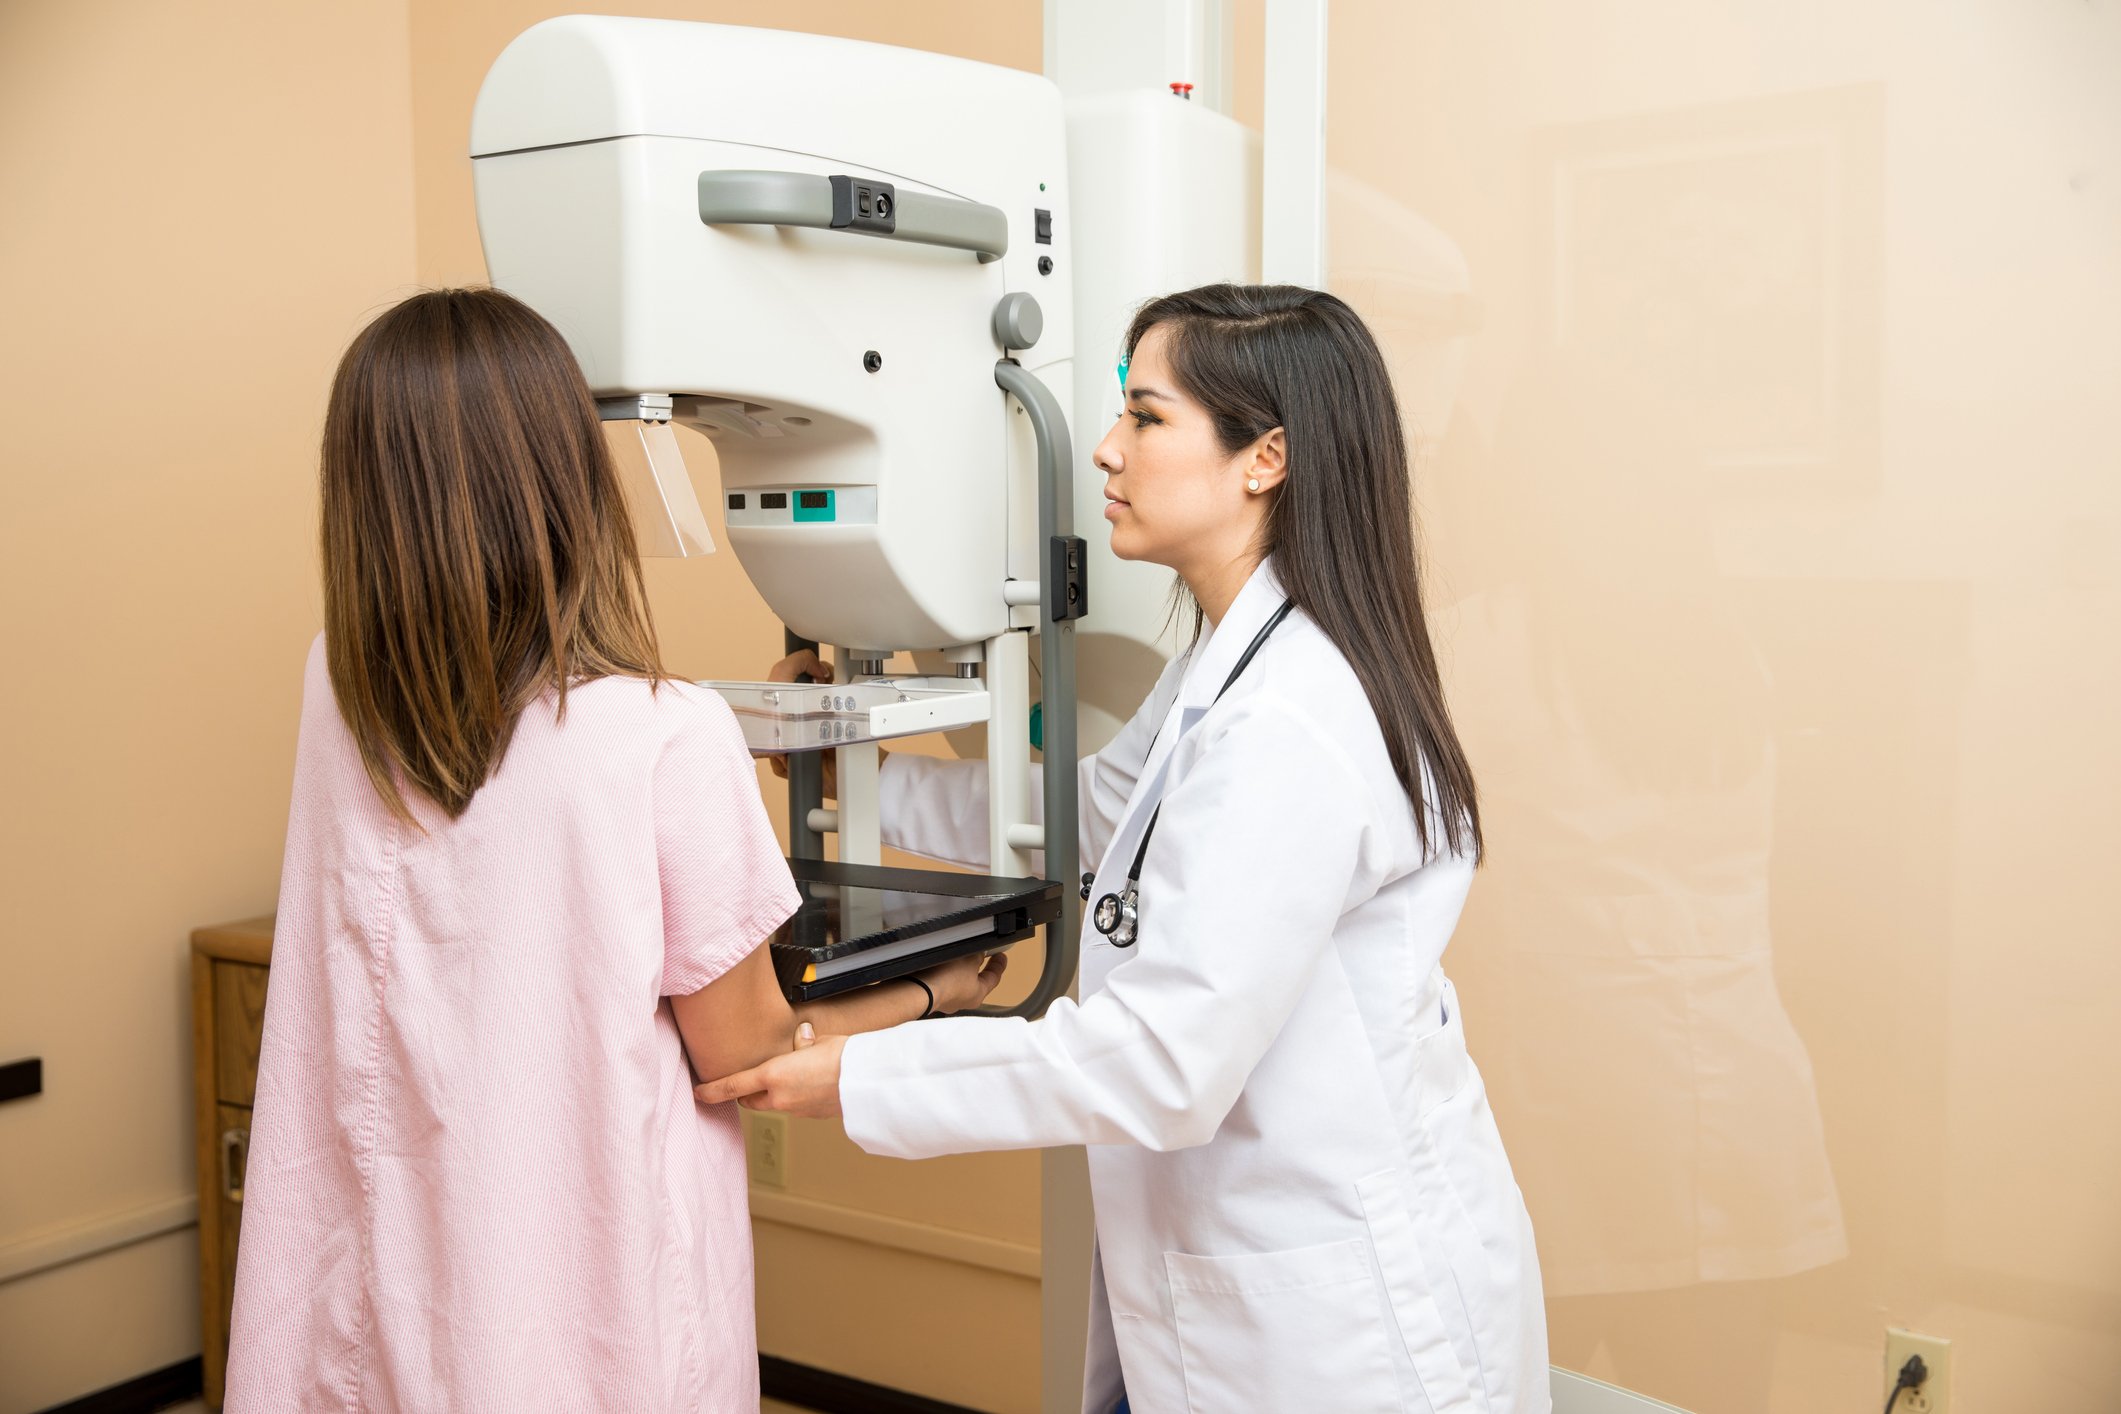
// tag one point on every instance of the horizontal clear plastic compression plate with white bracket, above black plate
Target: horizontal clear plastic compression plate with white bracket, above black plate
(782, 718)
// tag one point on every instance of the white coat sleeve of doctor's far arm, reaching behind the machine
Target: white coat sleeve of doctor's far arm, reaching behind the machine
(939, 809)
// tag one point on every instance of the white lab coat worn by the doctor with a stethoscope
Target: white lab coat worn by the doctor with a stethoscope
(1301, 1197)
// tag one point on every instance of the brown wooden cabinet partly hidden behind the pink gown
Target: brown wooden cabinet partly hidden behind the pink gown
(228, 1019)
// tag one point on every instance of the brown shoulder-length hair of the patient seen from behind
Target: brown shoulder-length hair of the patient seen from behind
(476, 542)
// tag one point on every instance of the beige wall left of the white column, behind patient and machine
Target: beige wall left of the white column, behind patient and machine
(203, 205)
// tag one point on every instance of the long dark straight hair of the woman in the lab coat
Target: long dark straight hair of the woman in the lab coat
(1342, 527)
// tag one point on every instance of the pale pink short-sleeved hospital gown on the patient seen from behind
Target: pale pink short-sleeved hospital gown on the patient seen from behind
(478, 1178)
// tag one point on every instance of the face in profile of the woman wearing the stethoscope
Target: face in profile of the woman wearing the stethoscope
(1172, 493)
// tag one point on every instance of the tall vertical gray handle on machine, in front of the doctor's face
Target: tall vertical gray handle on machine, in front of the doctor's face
(1059, 599)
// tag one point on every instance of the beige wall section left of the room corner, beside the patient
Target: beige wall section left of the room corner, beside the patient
(203, 205)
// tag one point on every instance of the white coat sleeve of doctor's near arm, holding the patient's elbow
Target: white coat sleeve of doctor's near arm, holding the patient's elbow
(1261, 849)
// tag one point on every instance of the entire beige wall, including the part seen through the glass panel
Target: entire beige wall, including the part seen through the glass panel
(1776, 537)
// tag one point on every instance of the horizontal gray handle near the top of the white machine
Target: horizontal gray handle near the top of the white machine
(822, 205)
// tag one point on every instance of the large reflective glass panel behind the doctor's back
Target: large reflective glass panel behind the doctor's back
(1764, 361)
